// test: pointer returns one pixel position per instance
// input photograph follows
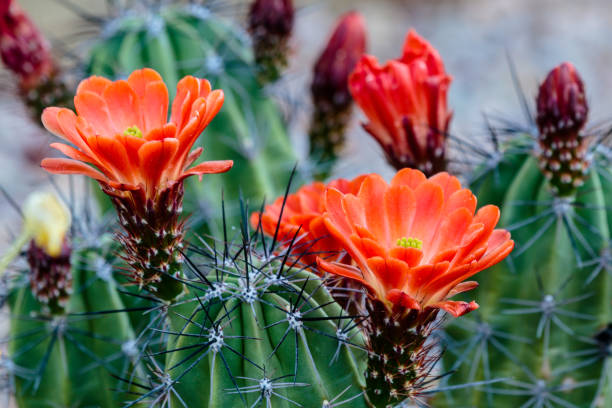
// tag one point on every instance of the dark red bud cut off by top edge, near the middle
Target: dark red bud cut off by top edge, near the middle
(270, 24)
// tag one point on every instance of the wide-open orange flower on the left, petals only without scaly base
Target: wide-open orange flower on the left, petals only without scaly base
(122, 129)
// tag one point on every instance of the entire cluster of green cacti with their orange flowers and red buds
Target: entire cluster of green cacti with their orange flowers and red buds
(331, 296)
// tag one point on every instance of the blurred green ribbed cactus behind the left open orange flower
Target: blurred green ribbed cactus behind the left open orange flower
(191, 40)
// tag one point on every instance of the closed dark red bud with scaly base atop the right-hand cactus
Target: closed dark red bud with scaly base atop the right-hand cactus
(562, 113)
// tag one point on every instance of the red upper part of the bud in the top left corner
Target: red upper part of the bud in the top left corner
(22, 47)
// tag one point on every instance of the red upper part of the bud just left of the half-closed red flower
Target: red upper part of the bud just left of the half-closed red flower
(331, 72)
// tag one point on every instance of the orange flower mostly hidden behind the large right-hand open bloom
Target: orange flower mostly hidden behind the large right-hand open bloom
(303, 211)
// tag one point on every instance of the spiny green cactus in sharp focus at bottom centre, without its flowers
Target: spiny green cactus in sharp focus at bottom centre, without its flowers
(260, 330)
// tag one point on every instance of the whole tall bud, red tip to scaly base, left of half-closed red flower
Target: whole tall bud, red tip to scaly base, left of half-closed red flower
(330, 92)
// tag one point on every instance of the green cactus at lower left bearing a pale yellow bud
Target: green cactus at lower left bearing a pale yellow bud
(64, 341)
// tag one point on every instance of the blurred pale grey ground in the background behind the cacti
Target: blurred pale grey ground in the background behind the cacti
(473, 37)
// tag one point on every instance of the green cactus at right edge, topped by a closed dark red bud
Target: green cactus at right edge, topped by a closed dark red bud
(541, 331)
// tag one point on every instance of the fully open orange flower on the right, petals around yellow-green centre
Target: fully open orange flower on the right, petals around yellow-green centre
(414, 241)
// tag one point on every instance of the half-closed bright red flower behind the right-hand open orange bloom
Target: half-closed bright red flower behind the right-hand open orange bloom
(405, 102)
